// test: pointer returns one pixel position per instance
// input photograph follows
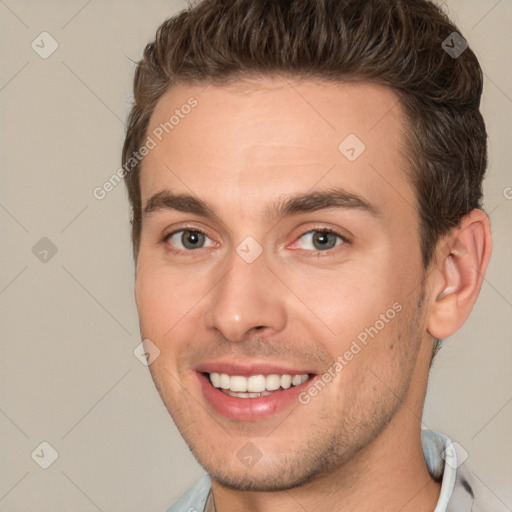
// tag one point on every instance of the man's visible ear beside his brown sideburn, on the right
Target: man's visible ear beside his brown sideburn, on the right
(461, 262)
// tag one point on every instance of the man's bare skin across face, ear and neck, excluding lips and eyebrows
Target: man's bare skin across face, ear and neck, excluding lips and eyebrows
(356, 445)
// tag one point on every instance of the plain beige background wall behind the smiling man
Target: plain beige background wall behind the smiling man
(69, 325)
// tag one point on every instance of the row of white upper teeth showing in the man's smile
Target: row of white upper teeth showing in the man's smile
(255, 385)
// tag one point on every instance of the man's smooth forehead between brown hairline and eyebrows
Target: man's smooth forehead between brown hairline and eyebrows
(238, 145)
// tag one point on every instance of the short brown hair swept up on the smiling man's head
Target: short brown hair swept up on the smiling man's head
(396, 43)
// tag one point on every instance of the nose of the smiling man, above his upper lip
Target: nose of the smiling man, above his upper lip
(247, 298)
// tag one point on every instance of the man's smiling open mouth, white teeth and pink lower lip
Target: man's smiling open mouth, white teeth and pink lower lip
(257, 395)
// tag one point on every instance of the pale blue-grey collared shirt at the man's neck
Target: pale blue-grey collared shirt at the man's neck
(443, 462)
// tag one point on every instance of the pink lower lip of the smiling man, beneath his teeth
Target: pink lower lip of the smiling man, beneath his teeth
(250, 409)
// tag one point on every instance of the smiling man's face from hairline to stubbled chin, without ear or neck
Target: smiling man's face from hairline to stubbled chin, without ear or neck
(256, 274)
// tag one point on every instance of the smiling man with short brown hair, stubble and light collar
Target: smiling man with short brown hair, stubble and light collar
(305, 179)
